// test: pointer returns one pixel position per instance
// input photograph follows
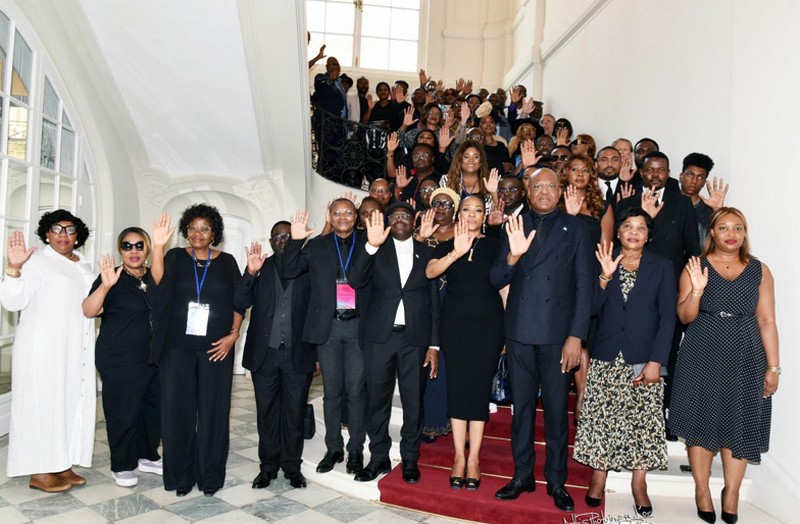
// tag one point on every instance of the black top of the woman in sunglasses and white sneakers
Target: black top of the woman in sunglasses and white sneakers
(126, 322)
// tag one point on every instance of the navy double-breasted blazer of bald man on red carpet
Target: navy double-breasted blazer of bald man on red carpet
(550, 297)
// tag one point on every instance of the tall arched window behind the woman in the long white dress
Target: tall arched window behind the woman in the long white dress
(35, 175)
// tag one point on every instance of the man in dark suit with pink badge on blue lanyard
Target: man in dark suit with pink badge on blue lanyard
(332, 324)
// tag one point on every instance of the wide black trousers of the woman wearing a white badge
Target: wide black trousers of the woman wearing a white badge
(195, 412)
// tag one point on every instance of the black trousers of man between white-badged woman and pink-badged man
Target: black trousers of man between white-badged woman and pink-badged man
(281, 397)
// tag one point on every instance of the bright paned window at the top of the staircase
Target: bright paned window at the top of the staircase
(372, 34)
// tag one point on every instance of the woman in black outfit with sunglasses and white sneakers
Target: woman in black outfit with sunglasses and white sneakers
(121, 297)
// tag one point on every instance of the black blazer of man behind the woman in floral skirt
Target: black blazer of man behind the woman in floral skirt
(674, 232)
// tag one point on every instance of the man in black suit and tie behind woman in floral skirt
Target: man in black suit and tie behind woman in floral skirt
(674, 220)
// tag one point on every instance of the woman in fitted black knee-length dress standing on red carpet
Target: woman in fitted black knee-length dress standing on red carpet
(471, 333)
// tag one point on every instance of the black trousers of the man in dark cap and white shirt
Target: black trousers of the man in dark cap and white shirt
(395, 359)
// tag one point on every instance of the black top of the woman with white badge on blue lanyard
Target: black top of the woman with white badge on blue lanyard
(180, 289)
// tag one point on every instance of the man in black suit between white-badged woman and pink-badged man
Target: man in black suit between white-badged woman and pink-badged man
(281, 364)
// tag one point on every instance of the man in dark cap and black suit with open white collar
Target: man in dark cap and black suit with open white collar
(401, 335)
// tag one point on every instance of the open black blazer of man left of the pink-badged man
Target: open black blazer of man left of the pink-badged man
(259, 292)
